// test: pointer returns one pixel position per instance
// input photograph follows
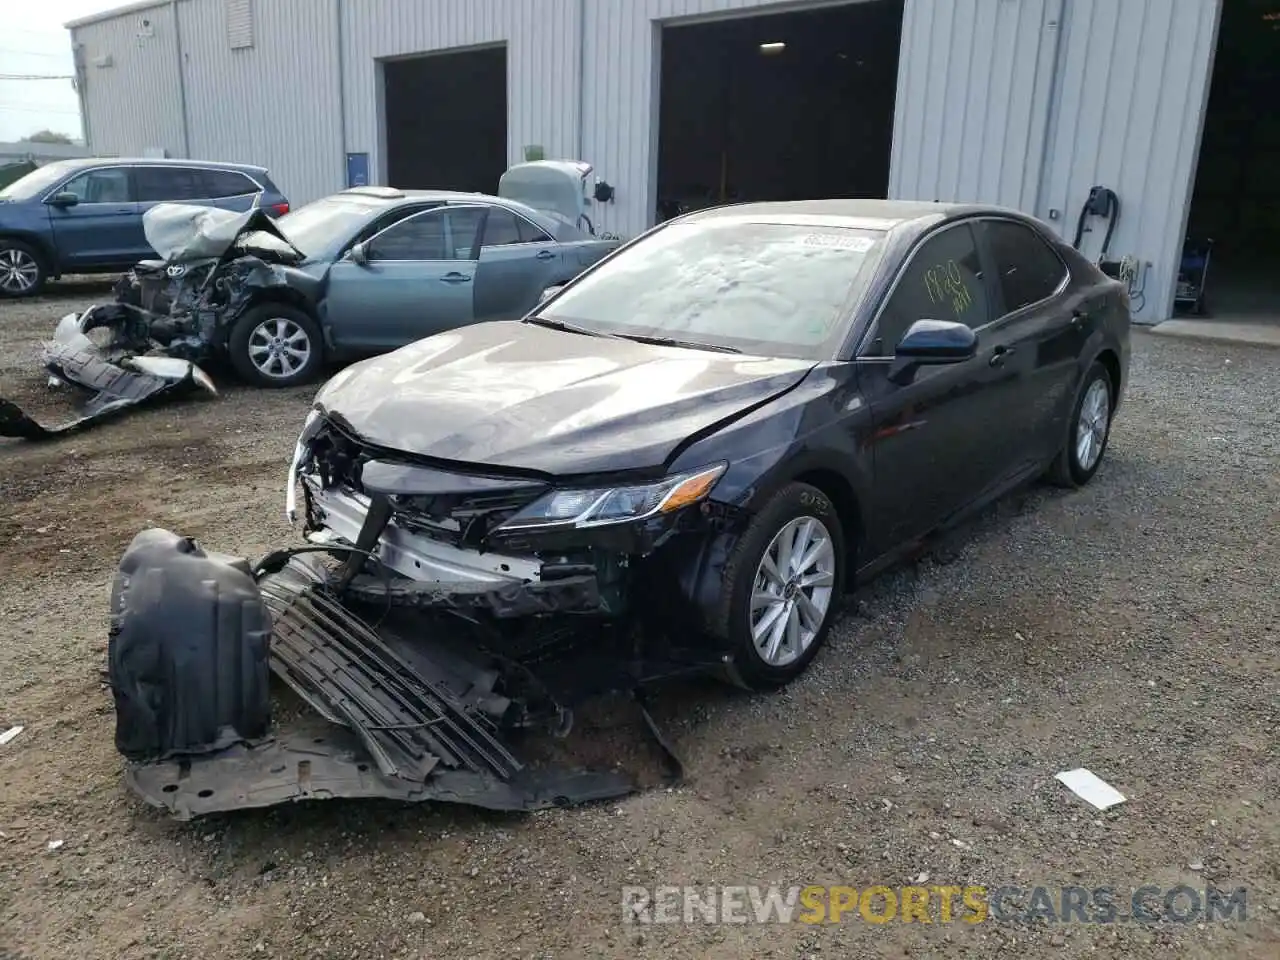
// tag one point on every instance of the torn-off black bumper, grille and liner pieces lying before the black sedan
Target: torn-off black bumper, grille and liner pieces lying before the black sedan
(415, 710)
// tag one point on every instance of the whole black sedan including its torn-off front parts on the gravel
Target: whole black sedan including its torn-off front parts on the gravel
(679, 463)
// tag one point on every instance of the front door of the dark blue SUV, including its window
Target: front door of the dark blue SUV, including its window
(104, 228)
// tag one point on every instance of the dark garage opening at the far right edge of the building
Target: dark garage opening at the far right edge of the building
(1237, 195)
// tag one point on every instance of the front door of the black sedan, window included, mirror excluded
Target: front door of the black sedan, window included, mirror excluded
(936, 438)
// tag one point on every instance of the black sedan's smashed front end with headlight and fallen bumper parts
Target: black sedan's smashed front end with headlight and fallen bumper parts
(432, 624)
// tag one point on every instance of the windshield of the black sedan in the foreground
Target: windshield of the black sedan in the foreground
(779, 290)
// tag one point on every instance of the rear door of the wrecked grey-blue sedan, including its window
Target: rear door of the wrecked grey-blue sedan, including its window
(518, 262)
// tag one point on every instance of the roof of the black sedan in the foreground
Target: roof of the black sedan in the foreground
(870, 214)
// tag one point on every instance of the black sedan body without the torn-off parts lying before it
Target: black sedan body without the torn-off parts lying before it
(756, 405)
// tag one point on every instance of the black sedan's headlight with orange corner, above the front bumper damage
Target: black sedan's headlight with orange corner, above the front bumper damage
(618, 505)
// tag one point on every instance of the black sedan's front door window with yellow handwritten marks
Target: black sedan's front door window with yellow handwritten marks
(944, 281)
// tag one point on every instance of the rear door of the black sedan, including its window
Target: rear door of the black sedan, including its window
(1043, 335)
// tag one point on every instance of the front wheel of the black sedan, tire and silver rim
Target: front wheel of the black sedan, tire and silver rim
(796, 509)
